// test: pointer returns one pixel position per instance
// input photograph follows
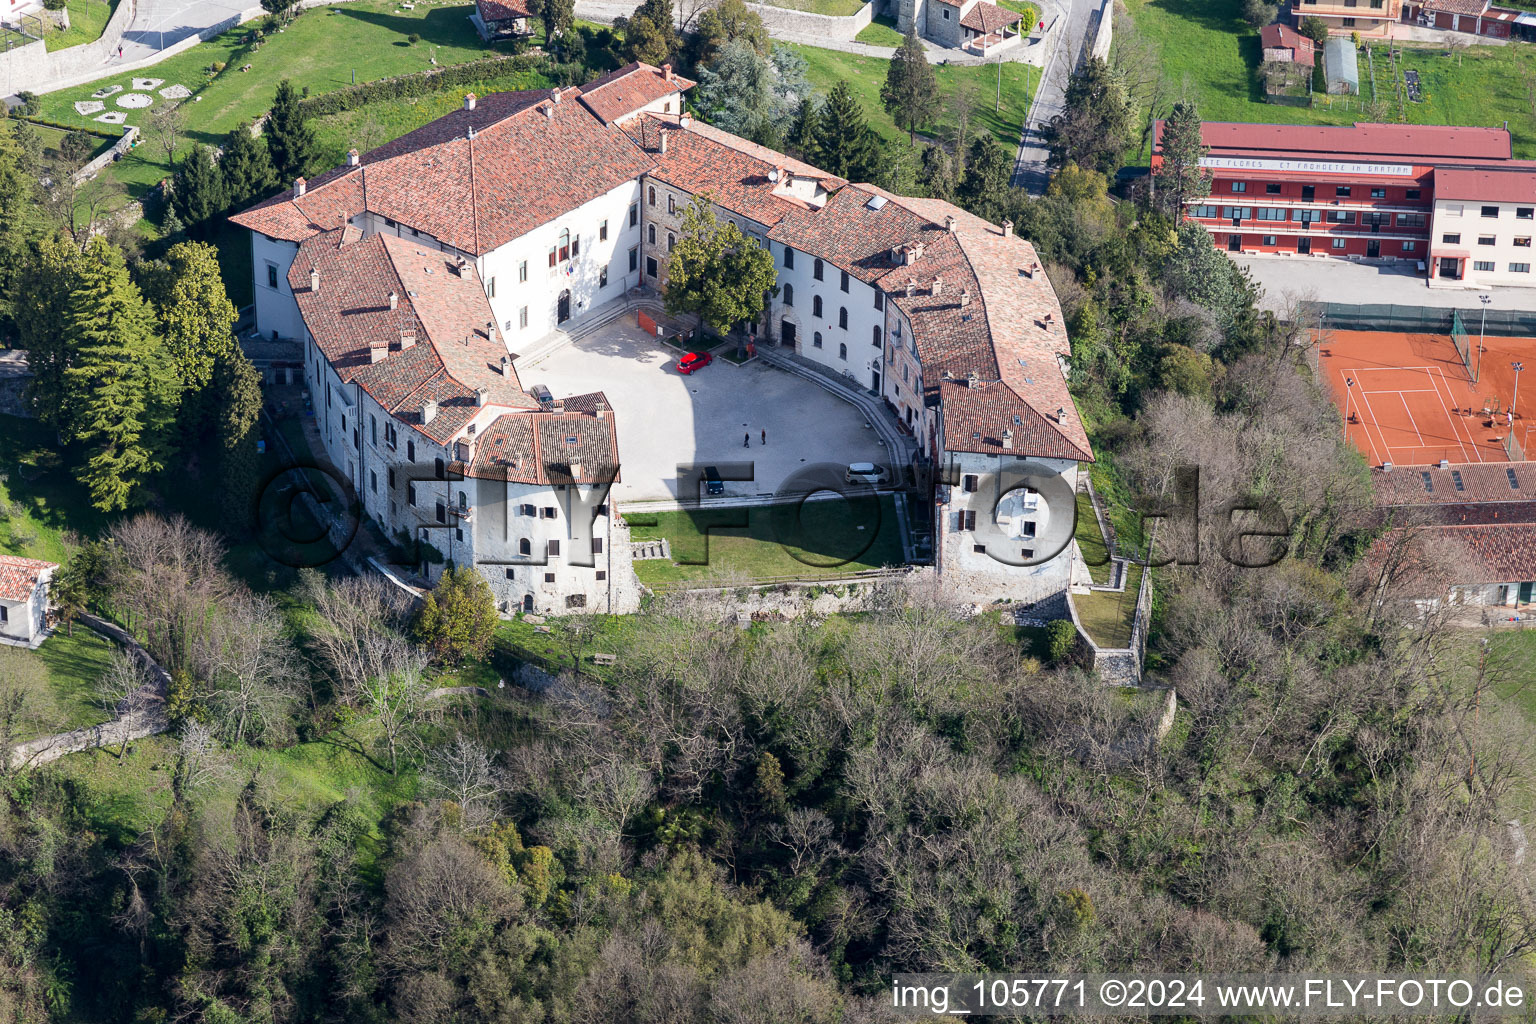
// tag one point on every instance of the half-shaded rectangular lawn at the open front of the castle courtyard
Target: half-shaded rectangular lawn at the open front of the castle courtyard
(780, 541)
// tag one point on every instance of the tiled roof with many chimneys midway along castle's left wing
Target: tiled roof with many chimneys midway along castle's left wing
(443, 309)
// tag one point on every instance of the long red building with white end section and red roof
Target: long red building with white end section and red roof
(1368, 193)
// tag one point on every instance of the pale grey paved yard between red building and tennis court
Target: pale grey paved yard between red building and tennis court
(1363, 283)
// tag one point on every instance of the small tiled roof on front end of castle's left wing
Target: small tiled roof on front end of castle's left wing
(541, 448)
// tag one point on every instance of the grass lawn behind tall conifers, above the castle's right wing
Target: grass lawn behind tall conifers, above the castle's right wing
(975, 85)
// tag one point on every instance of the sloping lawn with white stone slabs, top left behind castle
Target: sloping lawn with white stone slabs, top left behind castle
(320, 53)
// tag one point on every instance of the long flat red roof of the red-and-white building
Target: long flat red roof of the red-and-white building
(1412, 144)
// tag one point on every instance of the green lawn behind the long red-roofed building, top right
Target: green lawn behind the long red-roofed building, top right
(1208, 47)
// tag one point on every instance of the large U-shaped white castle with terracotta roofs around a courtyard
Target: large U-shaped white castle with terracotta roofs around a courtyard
(417, 273)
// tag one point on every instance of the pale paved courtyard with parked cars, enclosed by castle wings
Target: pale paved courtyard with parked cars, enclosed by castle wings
(667, 418)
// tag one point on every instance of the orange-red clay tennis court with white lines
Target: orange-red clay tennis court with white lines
(1409, 400)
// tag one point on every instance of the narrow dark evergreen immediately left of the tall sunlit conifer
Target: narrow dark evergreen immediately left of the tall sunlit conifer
(41, 299)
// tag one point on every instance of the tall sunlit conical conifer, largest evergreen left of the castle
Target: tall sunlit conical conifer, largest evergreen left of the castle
(121, 389)
